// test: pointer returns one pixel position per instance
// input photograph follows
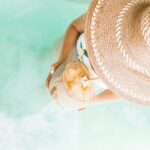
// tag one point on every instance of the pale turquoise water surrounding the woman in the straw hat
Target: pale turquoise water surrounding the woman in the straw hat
(29, 119)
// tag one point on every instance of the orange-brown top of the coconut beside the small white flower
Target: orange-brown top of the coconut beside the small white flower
(73, 74)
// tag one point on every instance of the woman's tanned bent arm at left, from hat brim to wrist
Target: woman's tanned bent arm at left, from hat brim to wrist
(71, 36)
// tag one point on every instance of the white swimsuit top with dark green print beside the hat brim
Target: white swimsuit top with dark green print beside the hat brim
(83, 56)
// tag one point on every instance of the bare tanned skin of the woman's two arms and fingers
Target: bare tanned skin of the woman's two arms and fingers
(73, 31)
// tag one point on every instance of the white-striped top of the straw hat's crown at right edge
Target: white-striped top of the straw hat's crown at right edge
(145, 25)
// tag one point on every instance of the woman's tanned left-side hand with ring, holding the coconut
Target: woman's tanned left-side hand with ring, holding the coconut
(53, 66)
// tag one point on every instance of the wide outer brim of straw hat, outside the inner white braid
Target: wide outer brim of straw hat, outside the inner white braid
(105, 56)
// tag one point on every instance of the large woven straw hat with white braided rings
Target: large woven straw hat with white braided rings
(118, 42)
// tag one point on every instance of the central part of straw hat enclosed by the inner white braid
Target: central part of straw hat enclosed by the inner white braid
(133, 36)
